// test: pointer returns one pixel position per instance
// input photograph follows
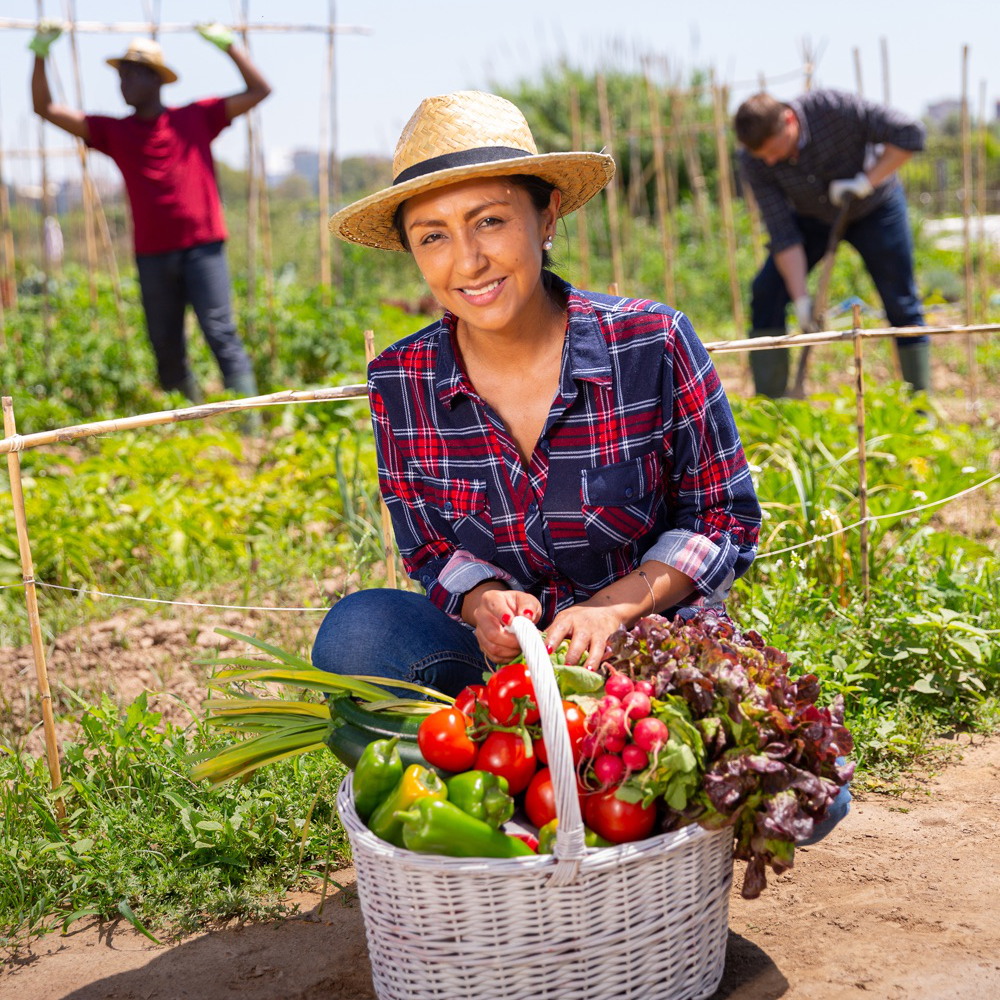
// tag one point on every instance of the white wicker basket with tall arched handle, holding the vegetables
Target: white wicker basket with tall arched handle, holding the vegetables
(646, 921)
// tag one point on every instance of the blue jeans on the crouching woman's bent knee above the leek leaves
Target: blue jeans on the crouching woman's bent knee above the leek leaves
(398, 635)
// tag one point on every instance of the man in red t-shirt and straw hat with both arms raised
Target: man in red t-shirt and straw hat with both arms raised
(164, 154)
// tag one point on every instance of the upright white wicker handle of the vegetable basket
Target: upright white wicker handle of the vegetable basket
(570, 848)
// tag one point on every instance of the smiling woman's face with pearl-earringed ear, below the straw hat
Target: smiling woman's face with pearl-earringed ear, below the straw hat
(478, 244)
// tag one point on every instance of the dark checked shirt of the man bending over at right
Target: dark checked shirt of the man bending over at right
(839, 135)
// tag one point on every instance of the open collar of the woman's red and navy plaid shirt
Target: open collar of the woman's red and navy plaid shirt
(586, 360)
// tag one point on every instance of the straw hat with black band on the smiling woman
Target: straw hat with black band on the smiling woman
(461, 135)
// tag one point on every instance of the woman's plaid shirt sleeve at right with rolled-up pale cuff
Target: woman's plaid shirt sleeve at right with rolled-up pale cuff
(714, 510)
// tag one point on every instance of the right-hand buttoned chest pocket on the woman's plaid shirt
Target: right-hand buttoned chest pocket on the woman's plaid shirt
(621, 502)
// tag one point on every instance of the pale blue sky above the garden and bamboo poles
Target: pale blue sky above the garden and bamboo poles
(415, 48)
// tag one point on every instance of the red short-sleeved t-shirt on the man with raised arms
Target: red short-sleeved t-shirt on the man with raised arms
(169, 175)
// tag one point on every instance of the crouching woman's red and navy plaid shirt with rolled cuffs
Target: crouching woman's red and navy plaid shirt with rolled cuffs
(639, 458)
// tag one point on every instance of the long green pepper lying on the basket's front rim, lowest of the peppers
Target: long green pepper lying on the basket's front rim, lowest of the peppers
(436, 826)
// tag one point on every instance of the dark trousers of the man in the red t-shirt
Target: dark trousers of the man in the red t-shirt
(169, 282)
